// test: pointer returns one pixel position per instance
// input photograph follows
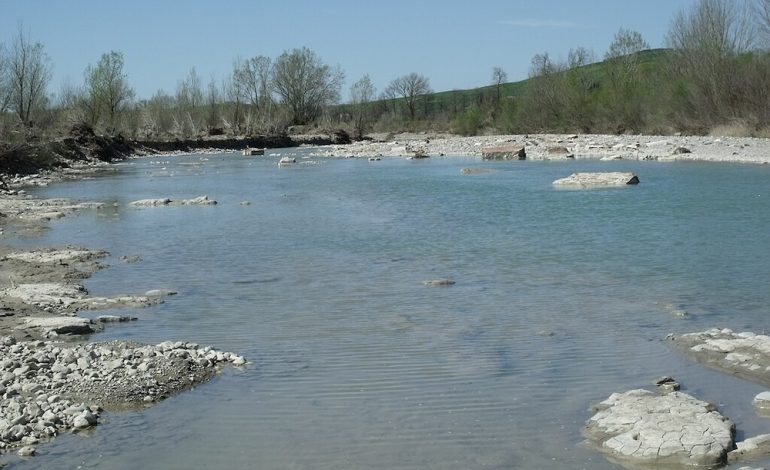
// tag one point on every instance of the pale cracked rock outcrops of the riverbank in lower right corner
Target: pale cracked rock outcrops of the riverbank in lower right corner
(670, 428)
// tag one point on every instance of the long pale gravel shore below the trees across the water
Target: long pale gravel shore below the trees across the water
(561, 146)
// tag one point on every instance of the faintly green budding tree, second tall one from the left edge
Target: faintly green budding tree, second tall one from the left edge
(107, 87)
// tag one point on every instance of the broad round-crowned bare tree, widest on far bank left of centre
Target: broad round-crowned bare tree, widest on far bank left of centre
(305, 84)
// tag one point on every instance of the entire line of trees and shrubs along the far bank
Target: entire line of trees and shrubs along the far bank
(713, 72)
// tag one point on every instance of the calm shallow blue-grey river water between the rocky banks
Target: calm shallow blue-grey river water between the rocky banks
(562, 297)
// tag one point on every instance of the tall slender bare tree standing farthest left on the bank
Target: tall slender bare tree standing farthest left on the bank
(30, 71)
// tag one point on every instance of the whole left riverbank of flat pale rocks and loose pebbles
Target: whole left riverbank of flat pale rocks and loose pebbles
(52, 379)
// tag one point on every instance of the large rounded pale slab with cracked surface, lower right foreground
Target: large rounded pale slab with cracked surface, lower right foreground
(646, 428)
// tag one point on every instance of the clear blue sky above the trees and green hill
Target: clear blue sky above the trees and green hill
(454, 43)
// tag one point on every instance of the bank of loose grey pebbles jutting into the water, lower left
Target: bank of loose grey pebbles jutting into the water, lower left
(48, 388)
